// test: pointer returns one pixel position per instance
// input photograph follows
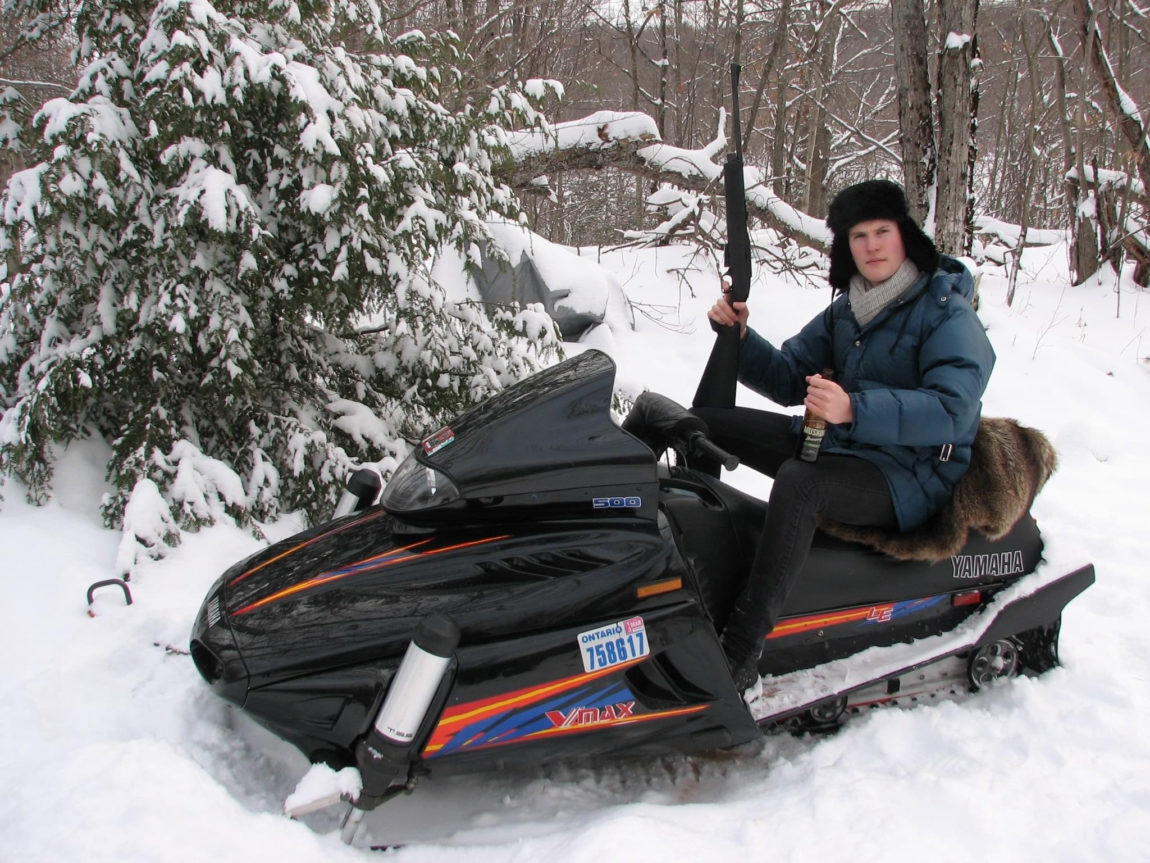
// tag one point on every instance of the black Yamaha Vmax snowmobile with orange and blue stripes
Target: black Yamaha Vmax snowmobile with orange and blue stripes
(535, 584)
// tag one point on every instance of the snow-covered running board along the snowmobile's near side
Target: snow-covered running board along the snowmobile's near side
(1030, 604)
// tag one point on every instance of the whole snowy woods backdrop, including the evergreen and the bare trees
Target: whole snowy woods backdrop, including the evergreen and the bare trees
(1009, 124)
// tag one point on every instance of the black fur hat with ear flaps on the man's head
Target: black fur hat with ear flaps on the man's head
(862, 203)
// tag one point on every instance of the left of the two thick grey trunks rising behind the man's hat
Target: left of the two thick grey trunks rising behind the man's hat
(915, 120)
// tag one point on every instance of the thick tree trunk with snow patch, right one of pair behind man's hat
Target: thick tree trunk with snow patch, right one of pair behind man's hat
(956, 117)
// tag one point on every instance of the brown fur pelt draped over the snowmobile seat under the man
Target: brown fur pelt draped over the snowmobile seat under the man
(1010, 464)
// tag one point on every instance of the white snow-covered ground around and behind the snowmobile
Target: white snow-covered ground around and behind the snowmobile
(113, 750)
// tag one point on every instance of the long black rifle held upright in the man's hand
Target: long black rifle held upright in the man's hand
(717, 386)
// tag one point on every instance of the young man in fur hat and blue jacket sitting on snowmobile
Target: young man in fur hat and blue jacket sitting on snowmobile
(911, 363)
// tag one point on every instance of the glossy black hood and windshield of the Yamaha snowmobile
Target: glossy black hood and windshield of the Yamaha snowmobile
(546, 447)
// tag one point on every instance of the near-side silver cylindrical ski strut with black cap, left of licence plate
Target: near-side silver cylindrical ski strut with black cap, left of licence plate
(384, 757)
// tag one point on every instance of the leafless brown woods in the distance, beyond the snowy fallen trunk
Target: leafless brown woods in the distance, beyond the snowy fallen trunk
(833, 93)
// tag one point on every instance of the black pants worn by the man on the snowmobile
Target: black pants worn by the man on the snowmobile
(841, 488)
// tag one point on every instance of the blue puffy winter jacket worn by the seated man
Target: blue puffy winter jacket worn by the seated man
(916, 376)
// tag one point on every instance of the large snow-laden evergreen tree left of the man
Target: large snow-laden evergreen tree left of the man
(224, 250)
